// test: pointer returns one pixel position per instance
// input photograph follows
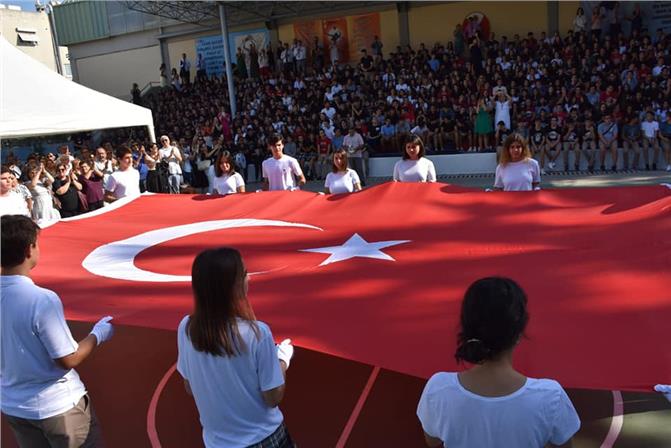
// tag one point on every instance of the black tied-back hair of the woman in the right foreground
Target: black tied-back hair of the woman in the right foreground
(493, 318)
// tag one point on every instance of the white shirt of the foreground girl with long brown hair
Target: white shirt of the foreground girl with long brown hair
(227, 390)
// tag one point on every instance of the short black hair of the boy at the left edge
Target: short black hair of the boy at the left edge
(18, 233)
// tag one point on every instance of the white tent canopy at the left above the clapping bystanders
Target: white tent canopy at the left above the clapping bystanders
(37, 101)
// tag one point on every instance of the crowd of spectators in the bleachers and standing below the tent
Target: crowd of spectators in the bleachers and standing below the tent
(588, 92)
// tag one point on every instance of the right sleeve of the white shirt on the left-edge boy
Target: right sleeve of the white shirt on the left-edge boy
(52, 330)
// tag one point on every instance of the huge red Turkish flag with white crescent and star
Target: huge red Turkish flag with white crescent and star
(378, 276)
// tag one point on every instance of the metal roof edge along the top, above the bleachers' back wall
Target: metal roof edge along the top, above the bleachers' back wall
(245, 12)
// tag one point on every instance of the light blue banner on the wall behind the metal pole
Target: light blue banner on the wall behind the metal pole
(212, 48)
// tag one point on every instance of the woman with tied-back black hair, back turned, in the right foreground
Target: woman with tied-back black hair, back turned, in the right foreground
(491, 404)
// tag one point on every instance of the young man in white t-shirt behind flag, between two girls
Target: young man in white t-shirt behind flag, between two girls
(281, 172)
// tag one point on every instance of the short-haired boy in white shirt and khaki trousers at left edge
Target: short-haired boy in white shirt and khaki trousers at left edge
(43, 399)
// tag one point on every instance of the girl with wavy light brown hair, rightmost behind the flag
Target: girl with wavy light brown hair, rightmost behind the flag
(517, 170)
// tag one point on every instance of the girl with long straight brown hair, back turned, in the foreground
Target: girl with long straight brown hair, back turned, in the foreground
(229, 361)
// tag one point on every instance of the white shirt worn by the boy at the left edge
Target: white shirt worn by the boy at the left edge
(33, 333)
